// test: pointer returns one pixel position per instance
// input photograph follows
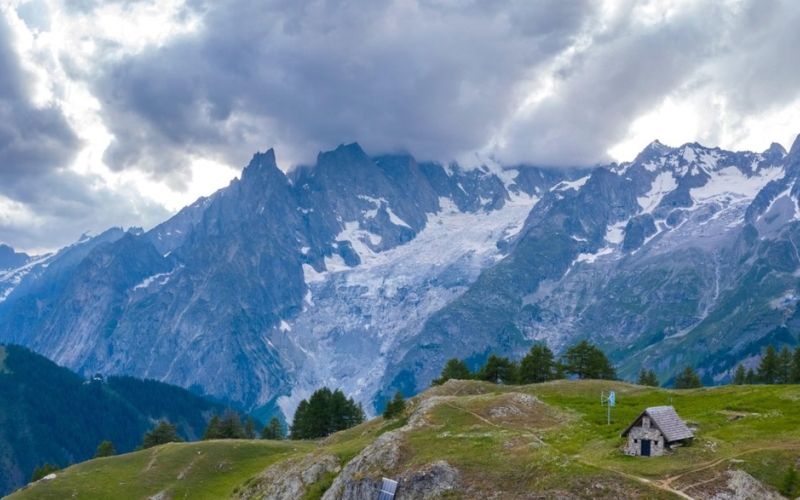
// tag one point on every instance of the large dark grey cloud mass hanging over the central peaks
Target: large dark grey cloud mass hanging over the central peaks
(430, 77)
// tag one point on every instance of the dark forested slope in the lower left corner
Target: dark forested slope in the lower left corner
(50, 414)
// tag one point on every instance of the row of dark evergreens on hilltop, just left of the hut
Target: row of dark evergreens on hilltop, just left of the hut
(583, 360)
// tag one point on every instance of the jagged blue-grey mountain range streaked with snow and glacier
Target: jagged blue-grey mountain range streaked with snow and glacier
(368, 273)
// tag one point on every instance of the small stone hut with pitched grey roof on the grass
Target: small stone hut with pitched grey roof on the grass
(655, 430)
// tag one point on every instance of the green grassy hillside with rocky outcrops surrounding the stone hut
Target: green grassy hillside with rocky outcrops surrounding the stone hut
(534, 441)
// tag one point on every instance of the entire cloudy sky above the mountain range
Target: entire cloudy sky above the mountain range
(120, 112)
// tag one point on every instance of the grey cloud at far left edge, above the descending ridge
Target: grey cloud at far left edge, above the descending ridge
(42, 202)
